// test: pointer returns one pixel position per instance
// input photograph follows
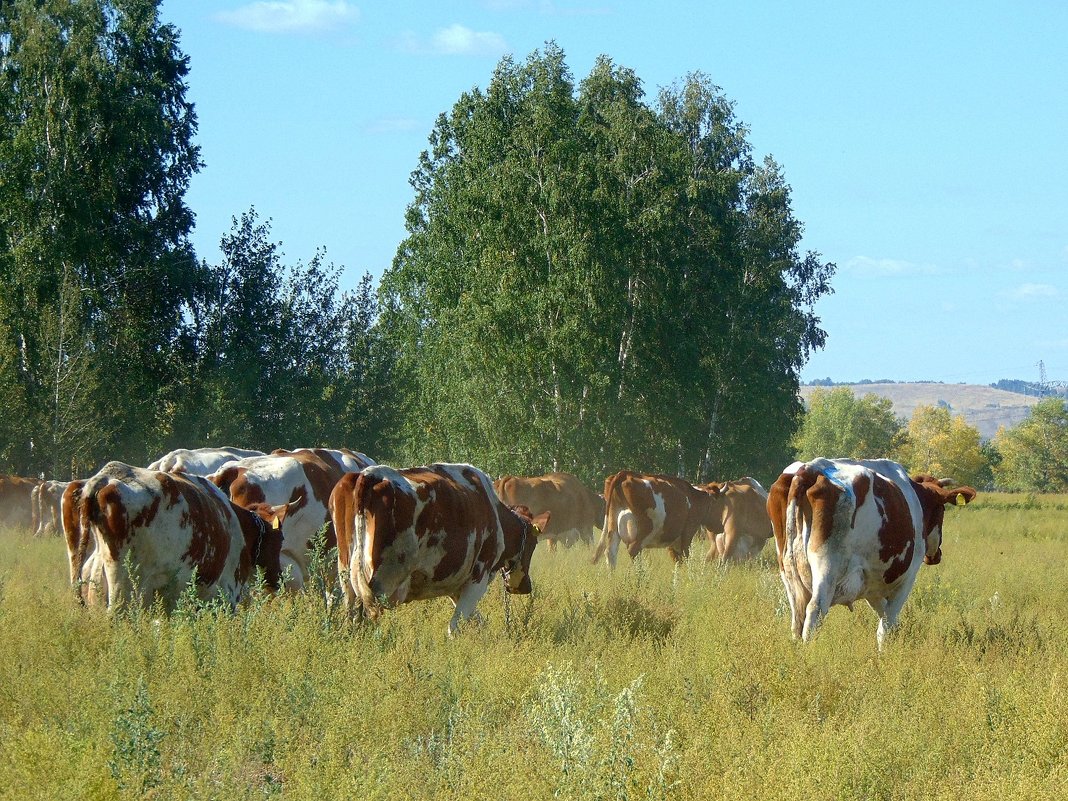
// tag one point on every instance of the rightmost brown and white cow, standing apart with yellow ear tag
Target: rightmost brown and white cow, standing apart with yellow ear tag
(850, 530)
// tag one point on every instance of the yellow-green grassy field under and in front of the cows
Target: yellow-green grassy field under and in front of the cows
(642, 684)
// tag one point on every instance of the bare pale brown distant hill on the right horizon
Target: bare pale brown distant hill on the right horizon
(982, 406)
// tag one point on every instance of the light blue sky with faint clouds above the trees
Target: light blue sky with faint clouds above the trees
(926, 144)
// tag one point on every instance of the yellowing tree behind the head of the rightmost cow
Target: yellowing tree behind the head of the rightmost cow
(945, 446)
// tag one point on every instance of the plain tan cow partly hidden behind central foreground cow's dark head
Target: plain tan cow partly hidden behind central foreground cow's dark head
(575, 511)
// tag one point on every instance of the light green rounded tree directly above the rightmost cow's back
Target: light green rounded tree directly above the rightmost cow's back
(840, 426)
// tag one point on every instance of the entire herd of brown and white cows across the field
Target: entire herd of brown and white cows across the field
(212, 519)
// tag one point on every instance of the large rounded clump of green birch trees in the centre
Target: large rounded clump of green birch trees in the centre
(590, 282)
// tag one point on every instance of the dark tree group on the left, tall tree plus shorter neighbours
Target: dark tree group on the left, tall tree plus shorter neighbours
(116, 341)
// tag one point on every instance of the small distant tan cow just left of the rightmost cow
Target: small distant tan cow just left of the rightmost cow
(741, 509)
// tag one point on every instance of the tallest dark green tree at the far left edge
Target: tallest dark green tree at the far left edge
(97, 152)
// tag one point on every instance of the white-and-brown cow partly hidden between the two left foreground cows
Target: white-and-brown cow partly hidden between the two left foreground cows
(304, 478)
